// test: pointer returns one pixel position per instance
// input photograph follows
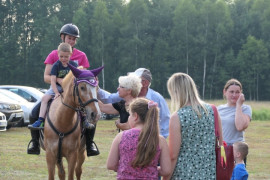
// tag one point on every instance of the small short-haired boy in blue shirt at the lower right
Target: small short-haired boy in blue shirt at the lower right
(240, 152)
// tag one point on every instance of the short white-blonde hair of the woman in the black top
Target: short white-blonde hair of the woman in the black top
(131, 82)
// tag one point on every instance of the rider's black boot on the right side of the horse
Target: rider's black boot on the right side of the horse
(91, 147)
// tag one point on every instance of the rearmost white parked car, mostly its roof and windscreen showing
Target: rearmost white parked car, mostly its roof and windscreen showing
(31, 94)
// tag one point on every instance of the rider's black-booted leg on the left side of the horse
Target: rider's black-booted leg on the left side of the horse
(34, 147)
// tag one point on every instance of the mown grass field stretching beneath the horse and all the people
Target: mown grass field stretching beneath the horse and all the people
(15, 164)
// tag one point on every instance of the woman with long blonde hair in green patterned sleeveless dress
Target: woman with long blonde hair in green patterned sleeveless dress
(192, 131)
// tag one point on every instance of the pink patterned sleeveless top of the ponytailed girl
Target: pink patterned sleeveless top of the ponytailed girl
(127, 150)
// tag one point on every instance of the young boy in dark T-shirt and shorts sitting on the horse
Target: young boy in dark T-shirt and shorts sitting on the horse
(59, 70)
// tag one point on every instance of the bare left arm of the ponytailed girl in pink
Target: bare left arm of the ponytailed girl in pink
(113, 158)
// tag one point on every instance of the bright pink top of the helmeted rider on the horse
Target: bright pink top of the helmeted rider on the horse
(78, 56)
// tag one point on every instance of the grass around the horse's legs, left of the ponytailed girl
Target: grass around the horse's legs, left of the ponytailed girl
(16, 164)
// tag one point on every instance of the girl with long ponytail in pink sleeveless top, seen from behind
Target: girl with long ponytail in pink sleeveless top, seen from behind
(136, 152)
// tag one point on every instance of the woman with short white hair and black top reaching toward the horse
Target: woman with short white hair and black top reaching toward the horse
(128, 89)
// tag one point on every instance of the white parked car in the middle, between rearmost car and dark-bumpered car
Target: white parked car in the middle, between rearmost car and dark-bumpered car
(25, 105)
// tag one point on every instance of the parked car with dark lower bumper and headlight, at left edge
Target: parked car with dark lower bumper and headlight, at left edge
(12, 110)
